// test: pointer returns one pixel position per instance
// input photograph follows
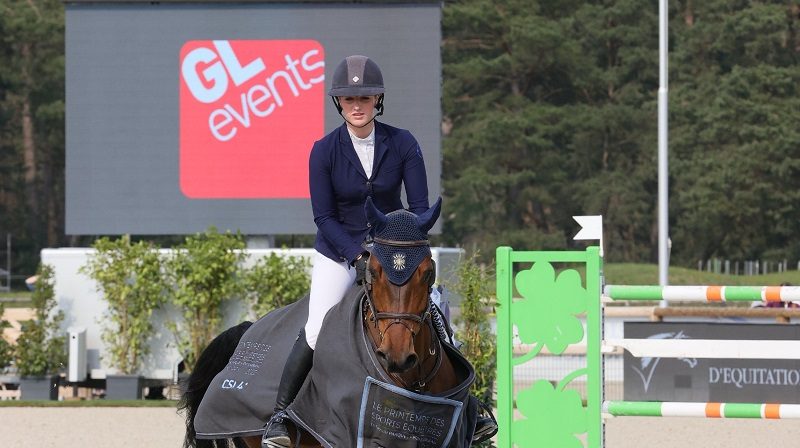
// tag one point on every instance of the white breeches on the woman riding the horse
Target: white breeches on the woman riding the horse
(330, 280)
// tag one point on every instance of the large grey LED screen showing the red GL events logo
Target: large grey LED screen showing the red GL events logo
(182, 116)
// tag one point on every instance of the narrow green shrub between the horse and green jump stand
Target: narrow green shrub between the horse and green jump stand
(476, 288)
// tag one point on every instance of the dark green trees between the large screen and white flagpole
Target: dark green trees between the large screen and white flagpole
(545, 102)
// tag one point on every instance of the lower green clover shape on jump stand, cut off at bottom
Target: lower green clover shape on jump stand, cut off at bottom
(553, 418)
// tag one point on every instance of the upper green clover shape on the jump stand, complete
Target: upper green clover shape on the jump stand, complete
(547, 314)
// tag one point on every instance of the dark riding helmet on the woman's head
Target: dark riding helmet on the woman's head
(357, 76)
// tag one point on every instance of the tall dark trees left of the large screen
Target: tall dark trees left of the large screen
(32, 127)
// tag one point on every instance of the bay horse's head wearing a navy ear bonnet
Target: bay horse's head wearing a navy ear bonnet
(399, 277)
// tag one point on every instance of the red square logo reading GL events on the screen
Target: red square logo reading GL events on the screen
(250, 110)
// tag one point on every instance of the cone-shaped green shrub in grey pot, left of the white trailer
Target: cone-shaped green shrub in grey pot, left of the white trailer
(41, 350)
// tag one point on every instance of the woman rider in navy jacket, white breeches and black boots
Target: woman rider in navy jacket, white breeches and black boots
(361, 158)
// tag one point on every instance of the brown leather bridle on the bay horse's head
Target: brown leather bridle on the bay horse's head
(405, 319)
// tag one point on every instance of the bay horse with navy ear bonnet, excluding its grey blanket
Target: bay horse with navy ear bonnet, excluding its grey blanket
(397, 318)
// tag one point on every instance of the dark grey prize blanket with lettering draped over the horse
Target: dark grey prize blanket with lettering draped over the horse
(347, 399)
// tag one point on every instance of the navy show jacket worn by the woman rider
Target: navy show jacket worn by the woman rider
(339, 186)
